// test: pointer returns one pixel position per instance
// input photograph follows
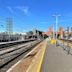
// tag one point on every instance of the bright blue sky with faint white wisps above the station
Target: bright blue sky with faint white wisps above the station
(35, 14)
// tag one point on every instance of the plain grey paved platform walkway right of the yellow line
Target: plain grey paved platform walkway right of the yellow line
(56, 60)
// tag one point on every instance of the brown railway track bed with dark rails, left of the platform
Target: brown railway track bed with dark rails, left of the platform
(11, 56)
